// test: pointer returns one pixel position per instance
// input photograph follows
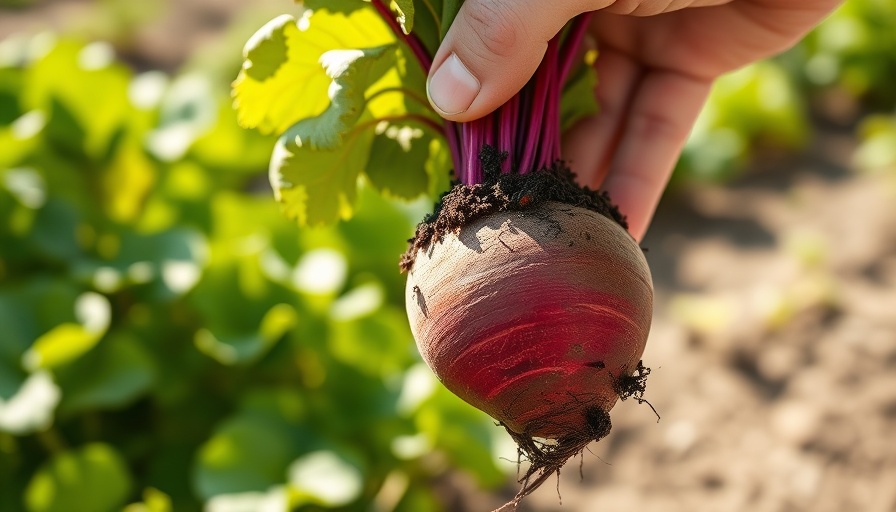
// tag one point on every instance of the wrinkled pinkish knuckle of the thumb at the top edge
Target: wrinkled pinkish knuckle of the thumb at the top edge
(495, 25)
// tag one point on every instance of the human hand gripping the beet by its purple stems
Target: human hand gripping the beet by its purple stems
(657, 60)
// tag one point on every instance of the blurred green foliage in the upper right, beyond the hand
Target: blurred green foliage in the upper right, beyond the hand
(771, 104)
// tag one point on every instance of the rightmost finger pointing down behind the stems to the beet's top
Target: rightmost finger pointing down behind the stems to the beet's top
(656, 127)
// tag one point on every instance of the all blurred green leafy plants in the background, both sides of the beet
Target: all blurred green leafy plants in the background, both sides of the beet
(169, 341)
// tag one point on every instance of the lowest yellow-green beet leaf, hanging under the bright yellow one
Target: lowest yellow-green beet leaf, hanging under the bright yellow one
(318, 186)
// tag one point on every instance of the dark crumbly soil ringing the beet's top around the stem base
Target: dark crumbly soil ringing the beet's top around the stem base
(504, 192)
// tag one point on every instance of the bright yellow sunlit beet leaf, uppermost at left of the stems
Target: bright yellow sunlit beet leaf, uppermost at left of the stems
(282, 81)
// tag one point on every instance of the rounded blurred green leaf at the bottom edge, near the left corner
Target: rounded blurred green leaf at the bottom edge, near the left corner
(94, 477)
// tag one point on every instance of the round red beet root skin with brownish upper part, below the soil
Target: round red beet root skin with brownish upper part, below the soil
(530, 316)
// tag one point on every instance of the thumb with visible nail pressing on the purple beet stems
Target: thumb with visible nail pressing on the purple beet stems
(491, 50)
